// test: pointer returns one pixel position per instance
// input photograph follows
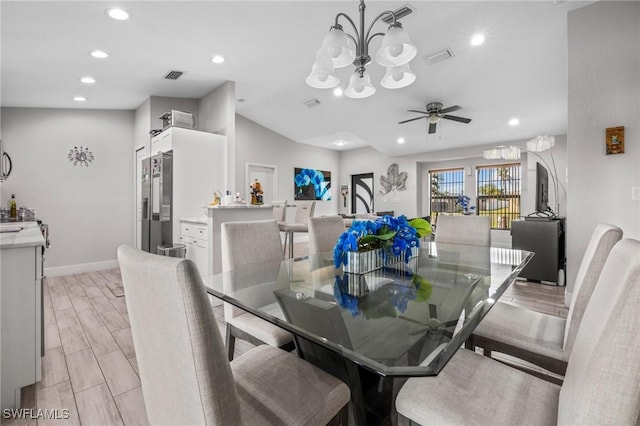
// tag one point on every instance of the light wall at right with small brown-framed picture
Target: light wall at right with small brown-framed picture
(604, 91)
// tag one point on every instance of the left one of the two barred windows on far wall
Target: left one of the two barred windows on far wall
(445, 187)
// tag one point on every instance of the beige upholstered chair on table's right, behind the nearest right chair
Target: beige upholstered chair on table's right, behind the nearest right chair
(542, 339)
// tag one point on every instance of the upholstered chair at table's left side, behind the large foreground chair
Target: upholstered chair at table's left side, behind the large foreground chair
(250, 244)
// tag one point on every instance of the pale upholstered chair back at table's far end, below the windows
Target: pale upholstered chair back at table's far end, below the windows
(471, 230)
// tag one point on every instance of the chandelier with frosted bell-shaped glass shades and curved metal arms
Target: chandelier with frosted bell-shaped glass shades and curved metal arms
(339, 49)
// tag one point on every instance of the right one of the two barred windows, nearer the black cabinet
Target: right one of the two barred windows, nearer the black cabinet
(499, 194)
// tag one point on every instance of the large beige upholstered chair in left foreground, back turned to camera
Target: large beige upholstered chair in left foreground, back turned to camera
(185, 375)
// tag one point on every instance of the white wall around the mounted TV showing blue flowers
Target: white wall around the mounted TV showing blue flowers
(259, 145)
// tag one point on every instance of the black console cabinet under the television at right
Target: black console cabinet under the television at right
(546, 239)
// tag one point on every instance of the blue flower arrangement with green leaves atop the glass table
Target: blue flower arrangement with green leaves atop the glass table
(395, 234)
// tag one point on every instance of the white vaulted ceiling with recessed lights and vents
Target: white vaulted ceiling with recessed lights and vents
(520, 71)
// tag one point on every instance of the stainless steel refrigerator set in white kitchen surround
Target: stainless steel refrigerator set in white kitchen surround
(157, 195)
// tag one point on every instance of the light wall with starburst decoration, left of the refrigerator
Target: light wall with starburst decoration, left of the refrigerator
(88, 209)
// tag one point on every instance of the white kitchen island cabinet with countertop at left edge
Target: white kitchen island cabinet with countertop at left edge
(21, 246)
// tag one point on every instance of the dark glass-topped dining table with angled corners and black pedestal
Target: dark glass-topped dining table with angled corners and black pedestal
(376, 329)
